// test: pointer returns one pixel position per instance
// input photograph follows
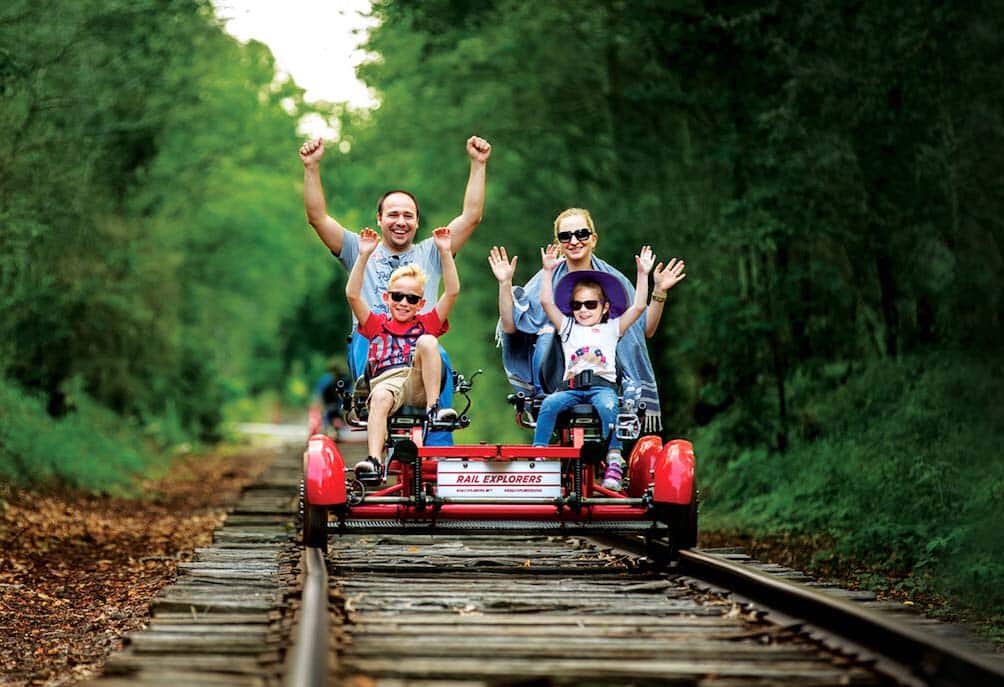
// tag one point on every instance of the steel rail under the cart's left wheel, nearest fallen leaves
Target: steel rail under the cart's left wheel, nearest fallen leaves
(308, 665)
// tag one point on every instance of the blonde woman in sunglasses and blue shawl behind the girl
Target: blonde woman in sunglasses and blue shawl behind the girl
(530, 333)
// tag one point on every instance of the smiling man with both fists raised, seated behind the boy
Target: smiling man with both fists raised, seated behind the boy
(398, 217)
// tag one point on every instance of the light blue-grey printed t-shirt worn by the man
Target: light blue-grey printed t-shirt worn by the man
(383, 263)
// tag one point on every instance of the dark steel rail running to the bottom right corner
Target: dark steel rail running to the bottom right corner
(936, 660)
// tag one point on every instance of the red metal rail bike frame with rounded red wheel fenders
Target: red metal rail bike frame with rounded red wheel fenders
(415, 498)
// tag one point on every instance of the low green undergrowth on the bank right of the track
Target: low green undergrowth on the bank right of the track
(885, 472)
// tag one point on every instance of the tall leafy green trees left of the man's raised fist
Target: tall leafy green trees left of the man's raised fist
(148, 214)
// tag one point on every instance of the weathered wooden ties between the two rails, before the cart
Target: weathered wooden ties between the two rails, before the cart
(518, 610)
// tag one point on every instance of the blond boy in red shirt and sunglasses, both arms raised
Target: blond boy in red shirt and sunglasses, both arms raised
(404, 362)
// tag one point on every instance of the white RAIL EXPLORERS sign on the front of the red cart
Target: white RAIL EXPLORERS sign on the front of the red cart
(504, 481)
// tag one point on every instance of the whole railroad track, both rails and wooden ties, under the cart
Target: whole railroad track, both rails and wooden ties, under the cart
(510, 610)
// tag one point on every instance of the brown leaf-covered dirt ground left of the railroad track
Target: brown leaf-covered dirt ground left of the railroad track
(78, 572)
